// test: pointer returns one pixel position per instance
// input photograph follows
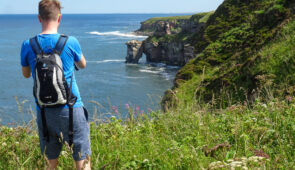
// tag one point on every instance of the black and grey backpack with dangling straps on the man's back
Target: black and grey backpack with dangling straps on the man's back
(50, 86)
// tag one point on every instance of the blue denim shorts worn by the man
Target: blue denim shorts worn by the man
(57, 120)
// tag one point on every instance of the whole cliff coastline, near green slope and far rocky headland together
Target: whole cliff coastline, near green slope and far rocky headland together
(224, 52)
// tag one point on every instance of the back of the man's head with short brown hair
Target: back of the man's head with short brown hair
(49, 10)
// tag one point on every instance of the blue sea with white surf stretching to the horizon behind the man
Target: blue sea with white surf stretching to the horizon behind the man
(107, 80)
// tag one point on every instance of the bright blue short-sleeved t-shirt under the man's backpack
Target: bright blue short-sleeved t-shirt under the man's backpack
(71, 52)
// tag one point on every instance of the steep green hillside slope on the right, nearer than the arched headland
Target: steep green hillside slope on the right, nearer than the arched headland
(244, 51)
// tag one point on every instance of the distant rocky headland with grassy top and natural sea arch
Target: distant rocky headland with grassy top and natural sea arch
(168, 39)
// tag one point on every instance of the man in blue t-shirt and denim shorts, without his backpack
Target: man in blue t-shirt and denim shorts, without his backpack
(57, 119)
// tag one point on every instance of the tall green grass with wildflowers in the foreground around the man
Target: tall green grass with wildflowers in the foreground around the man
(177, 139)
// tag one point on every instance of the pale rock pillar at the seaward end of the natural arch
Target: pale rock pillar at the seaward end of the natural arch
(134, 51)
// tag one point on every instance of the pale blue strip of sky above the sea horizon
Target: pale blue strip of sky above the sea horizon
(113, 6)
